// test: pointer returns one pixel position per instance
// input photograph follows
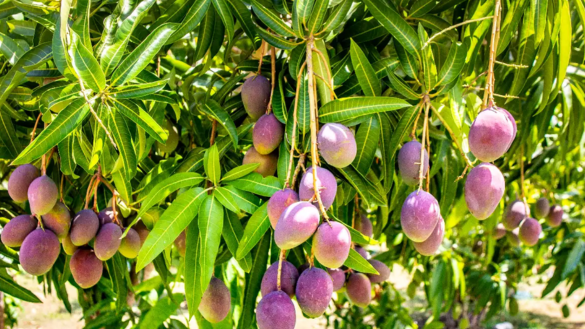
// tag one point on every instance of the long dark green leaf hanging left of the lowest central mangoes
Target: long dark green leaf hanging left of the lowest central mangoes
(254, 280)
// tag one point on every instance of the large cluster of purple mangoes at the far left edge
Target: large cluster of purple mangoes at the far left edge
(88, 237)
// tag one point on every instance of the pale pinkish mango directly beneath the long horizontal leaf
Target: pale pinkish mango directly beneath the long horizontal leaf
(337, 145)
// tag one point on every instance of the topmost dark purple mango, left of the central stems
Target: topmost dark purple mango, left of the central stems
(256, 95)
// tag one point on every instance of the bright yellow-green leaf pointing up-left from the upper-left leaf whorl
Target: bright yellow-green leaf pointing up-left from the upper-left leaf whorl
(86, 66)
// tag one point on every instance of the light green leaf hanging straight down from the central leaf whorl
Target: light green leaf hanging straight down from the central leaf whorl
(210, 227)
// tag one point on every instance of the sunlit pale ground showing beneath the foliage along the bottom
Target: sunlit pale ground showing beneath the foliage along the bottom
(535, 313)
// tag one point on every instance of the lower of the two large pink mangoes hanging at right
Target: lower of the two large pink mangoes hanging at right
(484, 188)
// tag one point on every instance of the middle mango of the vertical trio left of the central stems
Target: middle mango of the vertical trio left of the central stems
(268, 133)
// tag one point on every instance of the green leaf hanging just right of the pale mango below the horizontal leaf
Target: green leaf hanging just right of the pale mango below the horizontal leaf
(367, 138)
